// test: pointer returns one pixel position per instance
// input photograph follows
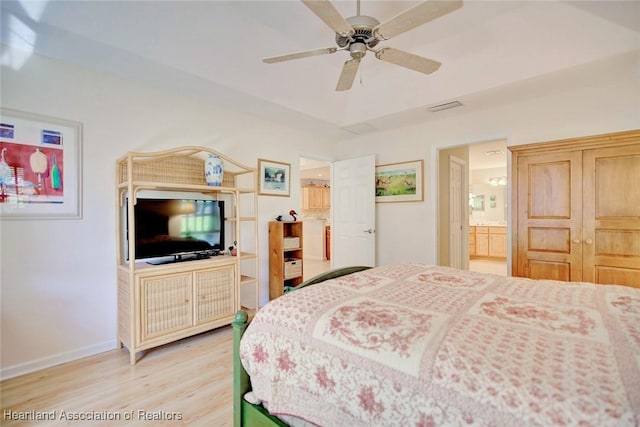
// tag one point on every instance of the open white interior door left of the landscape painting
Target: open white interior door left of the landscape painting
(353, 209)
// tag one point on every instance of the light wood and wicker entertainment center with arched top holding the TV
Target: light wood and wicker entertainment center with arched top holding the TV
(158, 304)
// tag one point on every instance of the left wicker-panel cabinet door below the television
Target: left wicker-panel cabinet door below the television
(166, 304)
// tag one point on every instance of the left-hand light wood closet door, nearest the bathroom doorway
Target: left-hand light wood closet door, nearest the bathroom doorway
(549, 225)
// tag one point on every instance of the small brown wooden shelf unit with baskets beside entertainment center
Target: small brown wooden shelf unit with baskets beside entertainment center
(285, 256)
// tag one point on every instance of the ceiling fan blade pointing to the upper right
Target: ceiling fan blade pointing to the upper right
(414, 17)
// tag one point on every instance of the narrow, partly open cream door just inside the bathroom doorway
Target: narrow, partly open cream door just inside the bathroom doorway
(457, 245)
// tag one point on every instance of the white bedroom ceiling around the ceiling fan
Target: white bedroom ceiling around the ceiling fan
(491, 51)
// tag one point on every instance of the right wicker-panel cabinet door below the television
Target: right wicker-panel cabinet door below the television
(215, 293)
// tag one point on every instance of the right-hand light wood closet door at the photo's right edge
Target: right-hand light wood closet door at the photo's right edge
(611, 201)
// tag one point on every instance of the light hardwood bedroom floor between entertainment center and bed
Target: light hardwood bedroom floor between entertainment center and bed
(188, 382)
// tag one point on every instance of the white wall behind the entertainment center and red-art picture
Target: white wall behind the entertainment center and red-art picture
(58, 278)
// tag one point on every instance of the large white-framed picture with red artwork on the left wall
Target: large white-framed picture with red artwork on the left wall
(40, 166)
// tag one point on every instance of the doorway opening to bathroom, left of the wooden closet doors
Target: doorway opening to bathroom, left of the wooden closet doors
(473, 207)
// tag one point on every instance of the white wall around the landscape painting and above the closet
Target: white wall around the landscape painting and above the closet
(408, 231)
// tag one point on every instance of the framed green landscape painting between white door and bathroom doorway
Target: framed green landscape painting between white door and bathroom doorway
(399, 182)
